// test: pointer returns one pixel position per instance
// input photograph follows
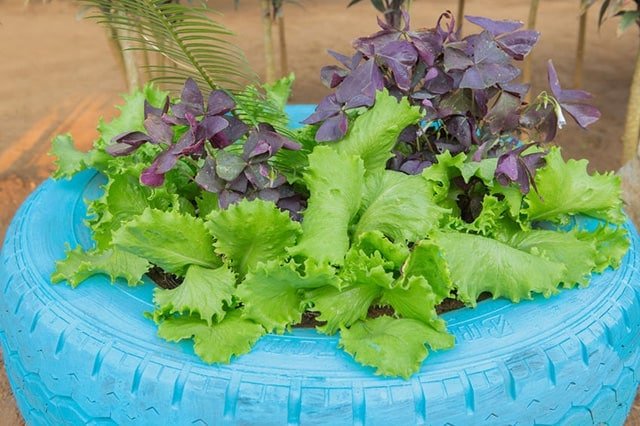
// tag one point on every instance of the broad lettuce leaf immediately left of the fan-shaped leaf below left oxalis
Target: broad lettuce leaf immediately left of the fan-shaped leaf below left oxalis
(169, 239)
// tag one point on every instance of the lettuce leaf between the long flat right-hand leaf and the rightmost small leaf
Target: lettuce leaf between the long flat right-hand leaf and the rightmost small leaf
(561, 247)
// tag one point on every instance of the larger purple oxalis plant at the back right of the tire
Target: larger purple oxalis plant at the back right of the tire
(467, 90)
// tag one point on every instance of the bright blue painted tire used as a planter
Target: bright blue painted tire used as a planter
(88, 355)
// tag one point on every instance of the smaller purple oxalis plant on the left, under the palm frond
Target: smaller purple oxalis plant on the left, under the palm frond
(203, 131)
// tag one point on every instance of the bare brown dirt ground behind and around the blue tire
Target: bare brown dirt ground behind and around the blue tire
(57, 74)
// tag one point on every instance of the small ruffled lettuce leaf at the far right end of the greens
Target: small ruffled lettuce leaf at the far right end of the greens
(611, 245)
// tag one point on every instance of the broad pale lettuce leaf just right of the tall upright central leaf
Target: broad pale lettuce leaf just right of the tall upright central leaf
(384, 193)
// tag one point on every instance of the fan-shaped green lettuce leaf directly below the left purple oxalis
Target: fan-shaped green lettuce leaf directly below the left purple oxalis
(249, 232)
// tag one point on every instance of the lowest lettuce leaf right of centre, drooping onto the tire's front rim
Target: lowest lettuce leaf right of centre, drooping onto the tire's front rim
(395, 347)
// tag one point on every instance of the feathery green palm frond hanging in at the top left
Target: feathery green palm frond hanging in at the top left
(193, 44)
